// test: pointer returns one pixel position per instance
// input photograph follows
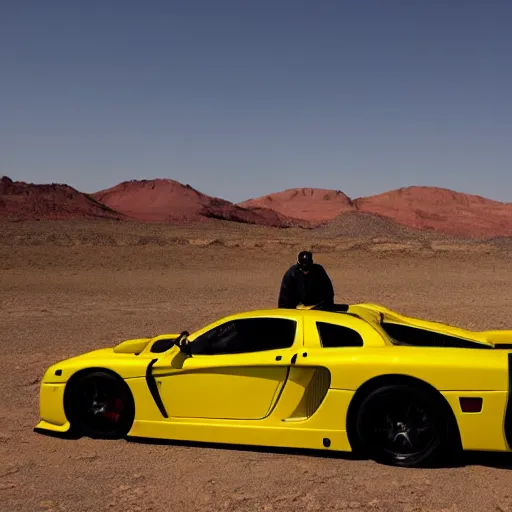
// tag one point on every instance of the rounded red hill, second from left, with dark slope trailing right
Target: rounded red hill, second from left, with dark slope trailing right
(165, 200)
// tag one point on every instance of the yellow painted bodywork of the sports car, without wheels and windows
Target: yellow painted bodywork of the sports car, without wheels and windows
(297, 396)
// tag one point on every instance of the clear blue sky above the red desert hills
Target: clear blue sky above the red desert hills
(241, 98)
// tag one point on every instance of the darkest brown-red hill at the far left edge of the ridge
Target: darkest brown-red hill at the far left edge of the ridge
(28, 201)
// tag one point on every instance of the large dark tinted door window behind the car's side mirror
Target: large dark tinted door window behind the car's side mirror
(246, 335)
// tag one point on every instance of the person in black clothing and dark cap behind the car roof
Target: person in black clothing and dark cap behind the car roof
(306, 283)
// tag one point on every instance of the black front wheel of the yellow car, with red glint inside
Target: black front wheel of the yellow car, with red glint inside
(99, 405)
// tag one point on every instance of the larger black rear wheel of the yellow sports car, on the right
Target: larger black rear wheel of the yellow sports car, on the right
(402, 425)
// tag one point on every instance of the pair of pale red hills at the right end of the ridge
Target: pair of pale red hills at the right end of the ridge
(419, 207)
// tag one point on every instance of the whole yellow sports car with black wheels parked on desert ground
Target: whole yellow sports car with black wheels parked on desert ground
(360, 378)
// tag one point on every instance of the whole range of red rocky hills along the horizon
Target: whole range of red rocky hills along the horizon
(421, 208)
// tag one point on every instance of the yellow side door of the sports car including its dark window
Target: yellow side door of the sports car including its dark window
(237, 370)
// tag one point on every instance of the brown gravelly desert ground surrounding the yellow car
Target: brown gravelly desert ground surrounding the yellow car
(66, 288)
